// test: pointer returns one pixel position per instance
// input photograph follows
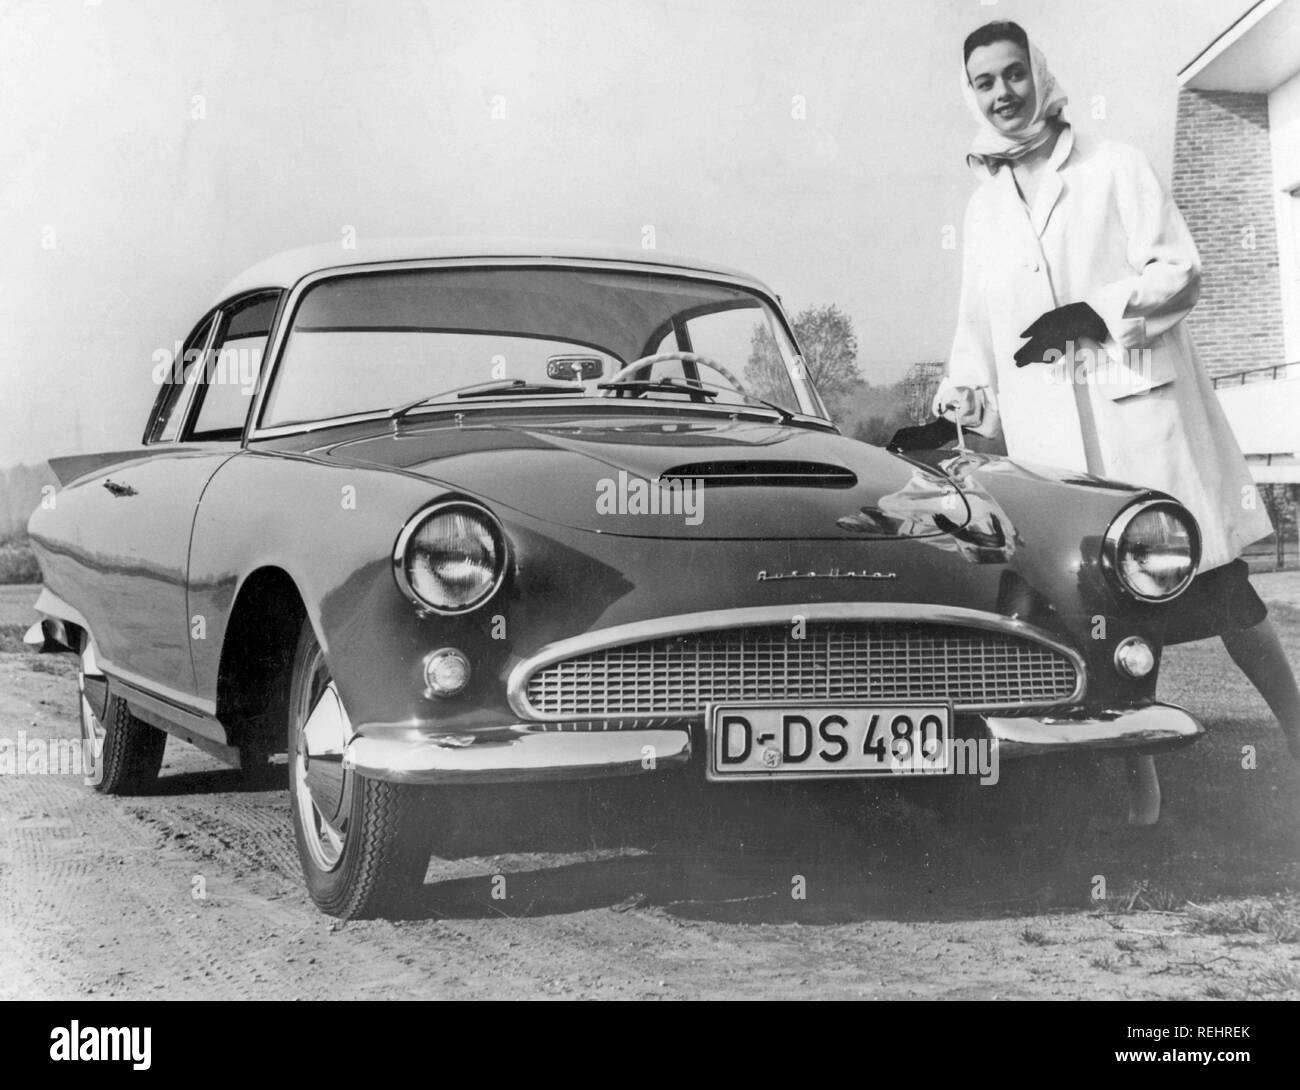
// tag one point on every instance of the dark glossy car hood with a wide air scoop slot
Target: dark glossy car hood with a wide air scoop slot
(677, 478)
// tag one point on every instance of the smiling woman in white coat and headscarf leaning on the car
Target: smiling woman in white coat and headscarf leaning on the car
(1073, 244)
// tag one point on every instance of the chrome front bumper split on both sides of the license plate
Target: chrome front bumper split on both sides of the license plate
(526, 754)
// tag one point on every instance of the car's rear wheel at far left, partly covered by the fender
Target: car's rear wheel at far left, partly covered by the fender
(123, 755)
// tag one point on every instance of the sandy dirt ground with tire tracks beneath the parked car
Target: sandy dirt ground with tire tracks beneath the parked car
(671, 889)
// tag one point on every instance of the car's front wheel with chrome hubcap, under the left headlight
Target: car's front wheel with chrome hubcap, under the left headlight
(363, 845)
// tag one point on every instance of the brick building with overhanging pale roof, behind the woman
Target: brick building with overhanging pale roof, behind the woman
(1237, 179)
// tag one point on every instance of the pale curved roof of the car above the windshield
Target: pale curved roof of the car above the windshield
(285, 270)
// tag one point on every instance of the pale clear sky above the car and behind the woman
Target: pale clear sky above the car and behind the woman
(153, 149)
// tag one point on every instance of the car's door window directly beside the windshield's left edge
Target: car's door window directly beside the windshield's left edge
(231, 373)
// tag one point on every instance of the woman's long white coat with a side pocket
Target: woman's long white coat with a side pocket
(1104, 232)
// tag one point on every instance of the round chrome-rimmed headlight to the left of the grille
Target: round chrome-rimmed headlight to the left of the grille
(450, 559)
